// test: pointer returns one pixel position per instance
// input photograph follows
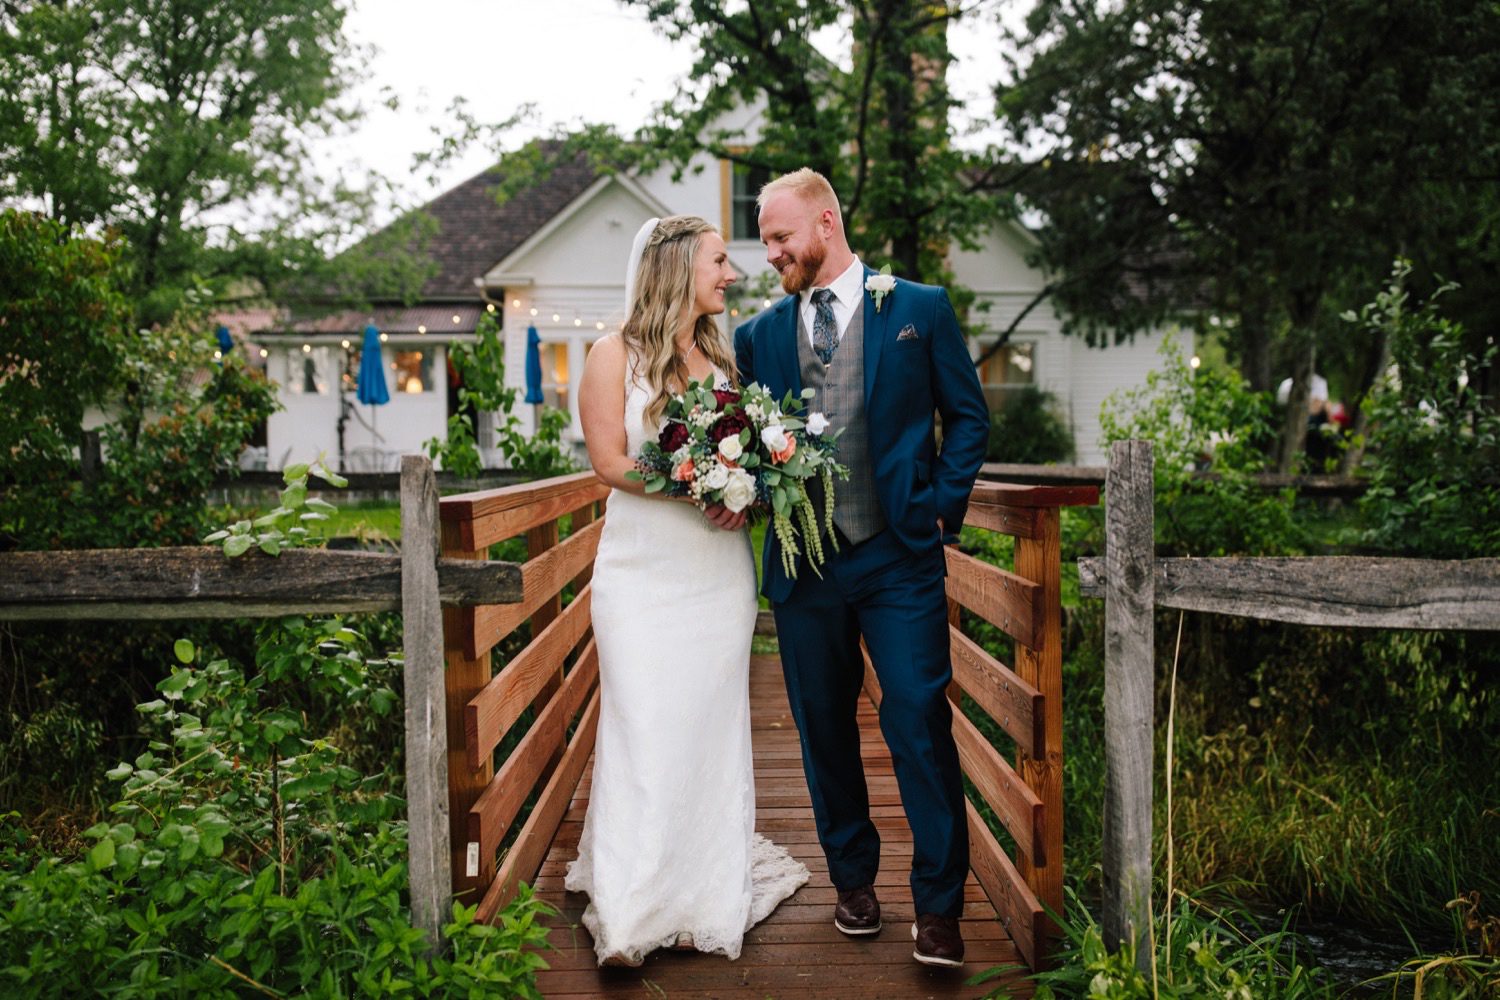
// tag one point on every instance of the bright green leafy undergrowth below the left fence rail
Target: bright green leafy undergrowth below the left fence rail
(245, 852)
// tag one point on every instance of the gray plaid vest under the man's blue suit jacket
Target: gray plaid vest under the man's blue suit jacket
(841, 398)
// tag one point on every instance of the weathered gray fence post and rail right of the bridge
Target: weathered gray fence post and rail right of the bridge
(1328, 591)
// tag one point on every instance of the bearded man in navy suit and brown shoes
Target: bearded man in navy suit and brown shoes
(880, 365)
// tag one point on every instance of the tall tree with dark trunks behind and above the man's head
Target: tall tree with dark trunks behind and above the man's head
(877, 122)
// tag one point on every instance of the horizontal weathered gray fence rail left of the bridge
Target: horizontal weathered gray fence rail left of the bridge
(200, 582)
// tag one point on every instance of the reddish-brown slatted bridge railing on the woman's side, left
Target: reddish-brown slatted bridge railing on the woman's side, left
(551, 686)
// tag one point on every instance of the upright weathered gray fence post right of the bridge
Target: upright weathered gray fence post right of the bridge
(1129, 696)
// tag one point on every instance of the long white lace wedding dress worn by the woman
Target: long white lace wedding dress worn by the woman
(670, 843)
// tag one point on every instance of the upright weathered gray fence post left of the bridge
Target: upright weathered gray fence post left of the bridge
(428, 863)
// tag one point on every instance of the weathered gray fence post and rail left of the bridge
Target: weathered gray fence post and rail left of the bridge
(200, 582)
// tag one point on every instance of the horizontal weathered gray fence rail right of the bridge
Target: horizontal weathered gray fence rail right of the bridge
(1331, 591)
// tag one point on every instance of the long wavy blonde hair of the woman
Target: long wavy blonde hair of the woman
(664, 295)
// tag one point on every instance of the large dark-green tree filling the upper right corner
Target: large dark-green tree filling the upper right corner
(1258, 163)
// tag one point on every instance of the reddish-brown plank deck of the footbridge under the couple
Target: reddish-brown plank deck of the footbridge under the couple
(796, 953)
